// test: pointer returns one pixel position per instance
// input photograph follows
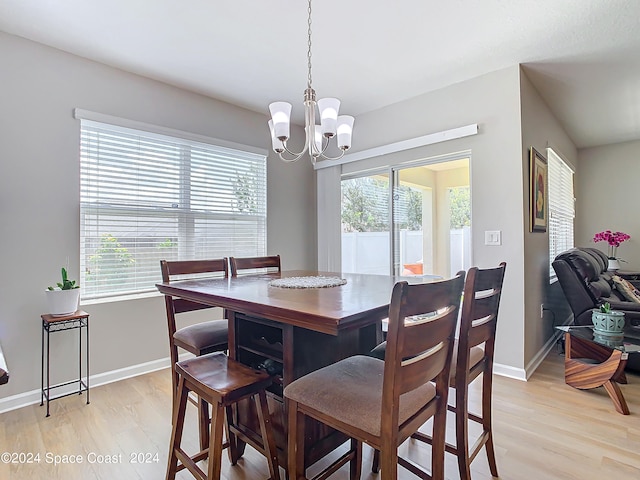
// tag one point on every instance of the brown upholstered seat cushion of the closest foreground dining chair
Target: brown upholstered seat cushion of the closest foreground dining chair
(351, 392)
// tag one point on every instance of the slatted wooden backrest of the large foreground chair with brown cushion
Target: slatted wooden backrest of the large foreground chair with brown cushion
(422, 322)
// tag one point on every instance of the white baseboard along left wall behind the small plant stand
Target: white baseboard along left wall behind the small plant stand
(29, 398)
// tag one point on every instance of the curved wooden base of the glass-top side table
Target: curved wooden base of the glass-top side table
(583, 375)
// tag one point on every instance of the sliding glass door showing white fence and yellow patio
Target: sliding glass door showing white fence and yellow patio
(412, 220)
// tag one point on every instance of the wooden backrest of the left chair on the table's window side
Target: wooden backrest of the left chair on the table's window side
(183, 269)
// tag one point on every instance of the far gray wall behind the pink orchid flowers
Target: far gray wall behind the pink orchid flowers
(608, 177)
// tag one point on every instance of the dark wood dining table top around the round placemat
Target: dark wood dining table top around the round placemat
(363, 300)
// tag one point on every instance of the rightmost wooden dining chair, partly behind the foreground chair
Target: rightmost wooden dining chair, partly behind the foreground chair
(473, 355)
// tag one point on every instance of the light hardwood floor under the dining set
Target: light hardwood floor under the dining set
(544, 430)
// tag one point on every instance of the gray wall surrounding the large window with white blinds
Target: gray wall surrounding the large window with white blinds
(39, 192)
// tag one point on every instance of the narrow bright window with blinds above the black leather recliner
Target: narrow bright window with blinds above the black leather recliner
(561, 208)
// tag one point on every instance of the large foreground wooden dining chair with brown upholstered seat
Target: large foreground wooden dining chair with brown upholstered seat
(382, 403)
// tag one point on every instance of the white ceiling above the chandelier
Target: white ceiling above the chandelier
(583, 56)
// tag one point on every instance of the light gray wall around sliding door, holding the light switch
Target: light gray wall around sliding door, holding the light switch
(496, 167)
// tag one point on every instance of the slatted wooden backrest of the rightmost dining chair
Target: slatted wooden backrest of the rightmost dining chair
(482, 292)
